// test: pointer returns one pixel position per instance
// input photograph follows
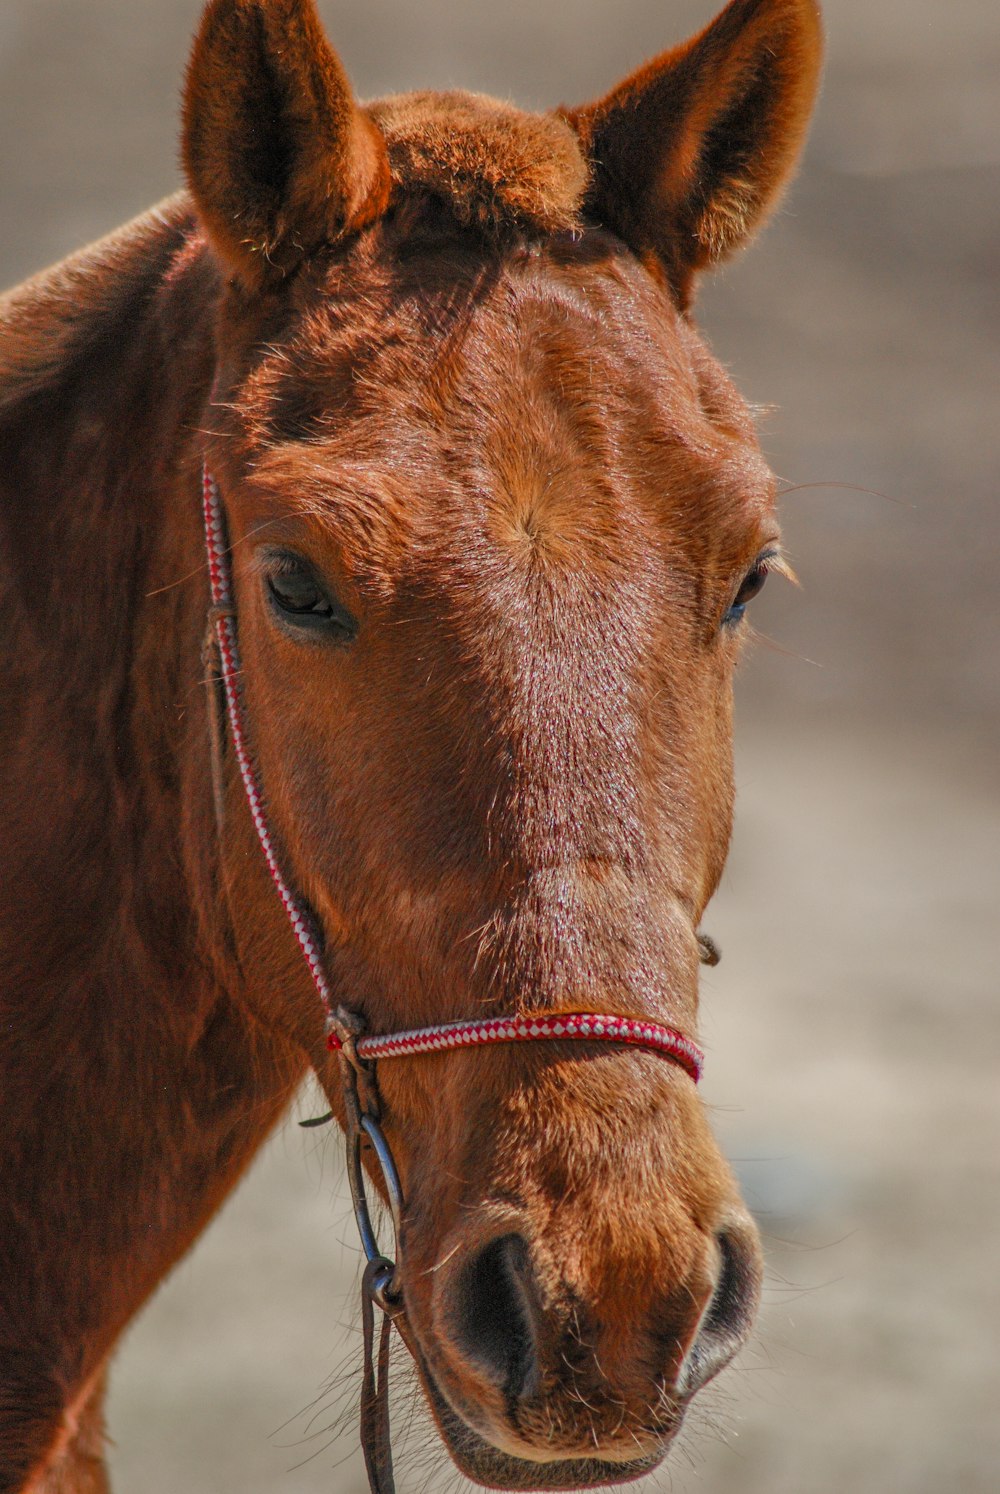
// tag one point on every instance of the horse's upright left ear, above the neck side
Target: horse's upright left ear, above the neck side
(279, 156)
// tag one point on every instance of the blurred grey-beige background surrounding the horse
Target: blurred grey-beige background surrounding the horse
(853, 1030)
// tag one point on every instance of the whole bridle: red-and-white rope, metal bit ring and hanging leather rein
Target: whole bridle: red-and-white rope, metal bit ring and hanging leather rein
(346, 1032)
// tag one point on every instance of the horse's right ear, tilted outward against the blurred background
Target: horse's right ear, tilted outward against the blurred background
(693, 150)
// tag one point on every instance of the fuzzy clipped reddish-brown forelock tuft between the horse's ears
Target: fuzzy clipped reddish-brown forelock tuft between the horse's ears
(497, 168)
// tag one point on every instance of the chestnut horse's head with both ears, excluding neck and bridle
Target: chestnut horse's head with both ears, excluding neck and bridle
(496, 518)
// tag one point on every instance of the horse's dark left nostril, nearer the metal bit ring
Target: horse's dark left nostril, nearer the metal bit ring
(494, 1321)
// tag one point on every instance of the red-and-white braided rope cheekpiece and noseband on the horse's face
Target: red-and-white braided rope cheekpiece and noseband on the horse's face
(591, 1027)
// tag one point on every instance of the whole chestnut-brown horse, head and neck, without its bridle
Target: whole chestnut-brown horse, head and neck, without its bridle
(496, 515)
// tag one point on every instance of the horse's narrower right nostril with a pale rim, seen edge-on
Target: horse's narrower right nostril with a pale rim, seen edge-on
(729, 1318)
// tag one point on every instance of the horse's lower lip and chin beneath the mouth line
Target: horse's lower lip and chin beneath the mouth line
(494, 1469)
